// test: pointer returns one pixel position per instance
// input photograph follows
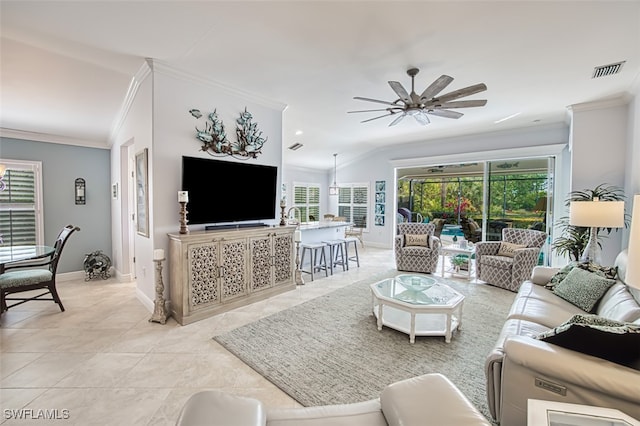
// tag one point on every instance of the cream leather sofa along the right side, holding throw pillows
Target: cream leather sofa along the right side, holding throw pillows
(521, 367)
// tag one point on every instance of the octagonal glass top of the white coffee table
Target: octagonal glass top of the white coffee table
(417, 290)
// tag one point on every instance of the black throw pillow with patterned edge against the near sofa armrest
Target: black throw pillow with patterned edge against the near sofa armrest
(615, 341)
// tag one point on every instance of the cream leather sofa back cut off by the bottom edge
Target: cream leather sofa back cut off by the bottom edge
(428, 400)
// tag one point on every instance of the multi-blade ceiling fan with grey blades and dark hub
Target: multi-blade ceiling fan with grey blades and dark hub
(418, 106)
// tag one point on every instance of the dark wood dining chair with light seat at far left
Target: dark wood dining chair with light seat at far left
(35, 277)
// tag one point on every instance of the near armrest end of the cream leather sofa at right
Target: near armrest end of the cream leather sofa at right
(533, 369)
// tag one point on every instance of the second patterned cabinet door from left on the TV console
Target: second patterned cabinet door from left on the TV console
(233, 264)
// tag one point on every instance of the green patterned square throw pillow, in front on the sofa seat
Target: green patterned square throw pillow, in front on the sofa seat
(583, 289)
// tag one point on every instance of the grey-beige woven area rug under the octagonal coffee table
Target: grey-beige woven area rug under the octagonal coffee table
(329, 350)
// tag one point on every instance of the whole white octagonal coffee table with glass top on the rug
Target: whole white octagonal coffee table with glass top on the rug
(417, 305)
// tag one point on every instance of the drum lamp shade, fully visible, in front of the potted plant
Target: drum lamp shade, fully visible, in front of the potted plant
(597, 214)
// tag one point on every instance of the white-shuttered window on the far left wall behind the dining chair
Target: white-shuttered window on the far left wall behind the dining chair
(20, 201)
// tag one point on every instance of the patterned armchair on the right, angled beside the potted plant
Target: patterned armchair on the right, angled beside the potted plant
(508, 263)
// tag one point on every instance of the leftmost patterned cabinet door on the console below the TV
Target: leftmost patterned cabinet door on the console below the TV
(204, 288)
